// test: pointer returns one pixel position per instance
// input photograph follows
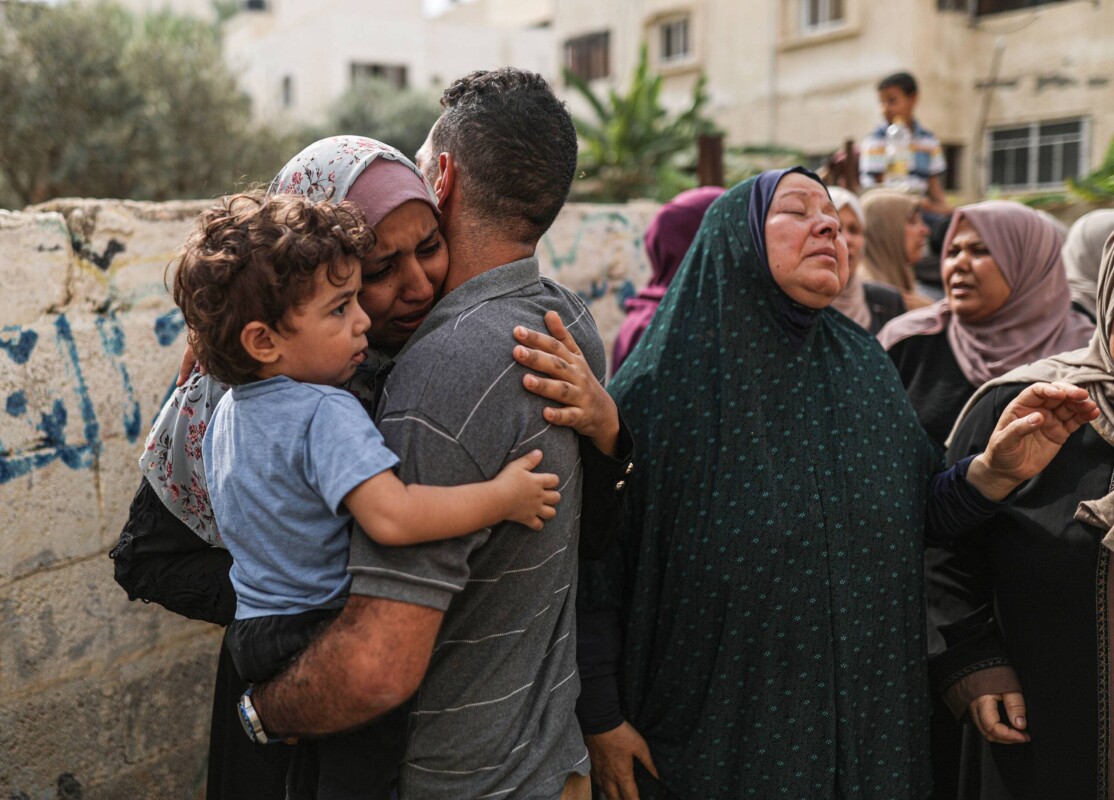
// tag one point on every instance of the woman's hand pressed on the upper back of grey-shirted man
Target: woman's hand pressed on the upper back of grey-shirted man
(588, 407)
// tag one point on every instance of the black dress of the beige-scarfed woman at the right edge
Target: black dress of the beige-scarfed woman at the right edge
(1031, 592)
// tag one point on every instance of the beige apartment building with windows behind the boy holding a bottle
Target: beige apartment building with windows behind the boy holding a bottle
(1020, 92)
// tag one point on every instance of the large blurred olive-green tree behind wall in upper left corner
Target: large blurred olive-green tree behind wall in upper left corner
(101, 103)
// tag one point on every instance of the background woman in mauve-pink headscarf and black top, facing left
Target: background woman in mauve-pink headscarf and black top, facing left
(1006, 304)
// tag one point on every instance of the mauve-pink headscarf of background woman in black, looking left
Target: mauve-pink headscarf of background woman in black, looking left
(1037, 320)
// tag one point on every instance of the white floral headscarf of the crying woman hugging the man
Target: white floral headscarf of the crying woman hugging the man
(379, 179)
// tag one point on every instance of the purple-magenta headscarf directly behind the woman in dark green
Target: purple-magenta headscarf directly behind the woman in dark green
(668, 240)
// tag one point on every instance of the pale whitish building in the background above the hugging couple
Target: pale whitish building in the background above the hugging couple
(297, 57)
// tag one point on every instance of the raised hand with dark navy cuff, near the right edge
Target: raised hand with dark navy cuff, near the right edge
(1029, 436)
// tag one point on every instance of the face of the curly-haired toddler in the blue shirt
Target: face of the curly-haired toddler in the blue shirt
(324, 340)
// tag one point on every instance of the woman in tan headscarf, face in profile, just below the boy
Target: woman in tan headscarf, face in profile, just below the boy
(896, 236)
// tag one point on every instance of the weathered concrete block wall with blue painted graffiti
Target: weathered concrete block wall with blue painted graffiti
(103, 698)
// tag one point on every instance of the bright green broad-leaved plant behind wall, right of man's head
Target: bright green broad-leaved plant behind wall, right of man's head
(634, 148)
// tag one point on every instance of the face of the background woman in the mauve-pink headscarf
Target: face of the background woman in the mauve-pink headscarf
(973, 282)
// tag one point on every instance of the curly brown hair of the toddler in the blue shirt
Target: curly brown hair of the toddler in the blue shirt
(256, 258)
